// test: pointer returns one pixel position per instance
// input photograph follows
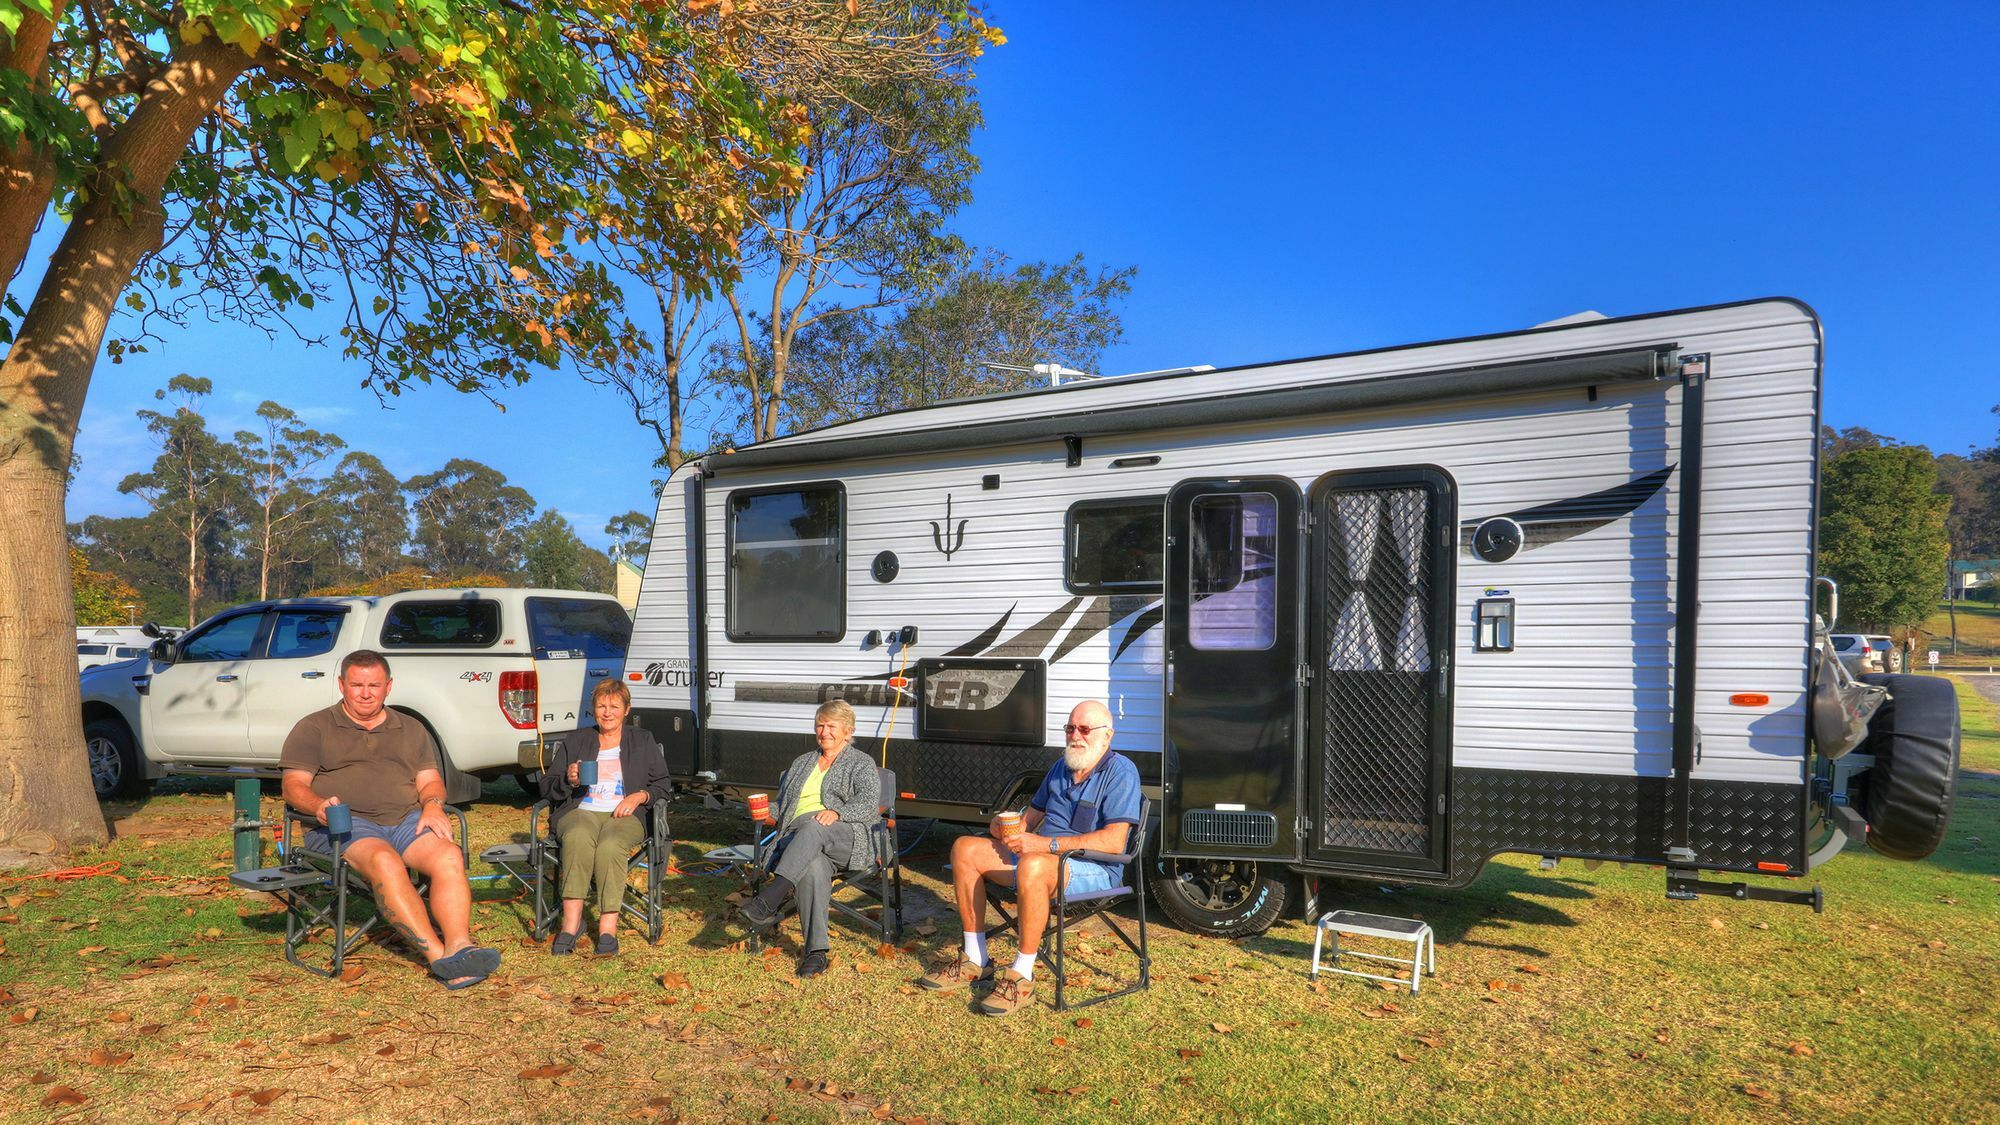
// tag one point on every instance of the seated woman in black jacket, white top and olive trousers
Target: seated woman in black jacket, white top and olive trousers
(599, 826)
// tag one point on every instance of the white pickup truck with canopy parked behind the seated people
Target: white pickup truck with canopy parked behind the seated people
(491, 674)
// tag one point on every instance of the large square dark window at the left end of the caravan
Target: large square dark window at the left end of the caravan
(787, 580)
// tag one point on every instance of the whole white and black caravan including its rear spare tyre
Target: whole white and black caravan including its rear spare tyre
(1375, 616)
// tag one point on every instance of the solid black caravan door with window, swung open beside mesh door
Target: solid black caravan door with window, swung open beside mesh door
(1233, 702)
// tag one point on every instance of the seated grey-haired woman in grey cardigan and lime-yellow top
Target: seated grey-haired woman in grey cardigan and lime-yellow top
(827, 806)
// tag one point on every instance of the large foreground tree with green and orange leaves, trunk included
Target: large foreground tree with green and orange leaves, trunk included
(425, 169)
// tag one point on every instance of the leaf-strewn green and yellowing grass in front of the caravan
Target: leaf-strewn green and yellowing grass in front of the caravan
(1569, 996)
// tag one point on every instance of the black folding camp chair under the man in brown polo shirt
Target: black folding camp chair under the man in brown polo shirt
(315, 888)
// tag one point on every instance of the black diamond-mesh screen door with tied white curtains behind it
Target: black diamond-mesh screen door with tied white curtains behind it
(1381, 646)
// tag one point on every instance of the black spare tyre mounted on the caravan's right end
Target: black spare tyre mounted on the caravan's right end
(1915, 746)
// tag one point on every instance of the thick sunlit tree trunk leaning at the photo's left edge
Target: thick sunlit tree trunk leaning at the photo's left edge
(45, 782)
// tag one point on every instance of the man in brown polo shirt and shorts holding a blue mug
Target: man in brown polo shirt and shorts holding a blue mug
(385, 770)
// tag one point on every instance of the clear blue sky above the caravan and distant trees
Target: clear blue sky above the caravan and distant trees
(1319, 179)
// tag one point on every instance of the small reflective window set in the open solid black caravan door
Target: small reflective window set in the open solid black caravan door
(1233, 572)
